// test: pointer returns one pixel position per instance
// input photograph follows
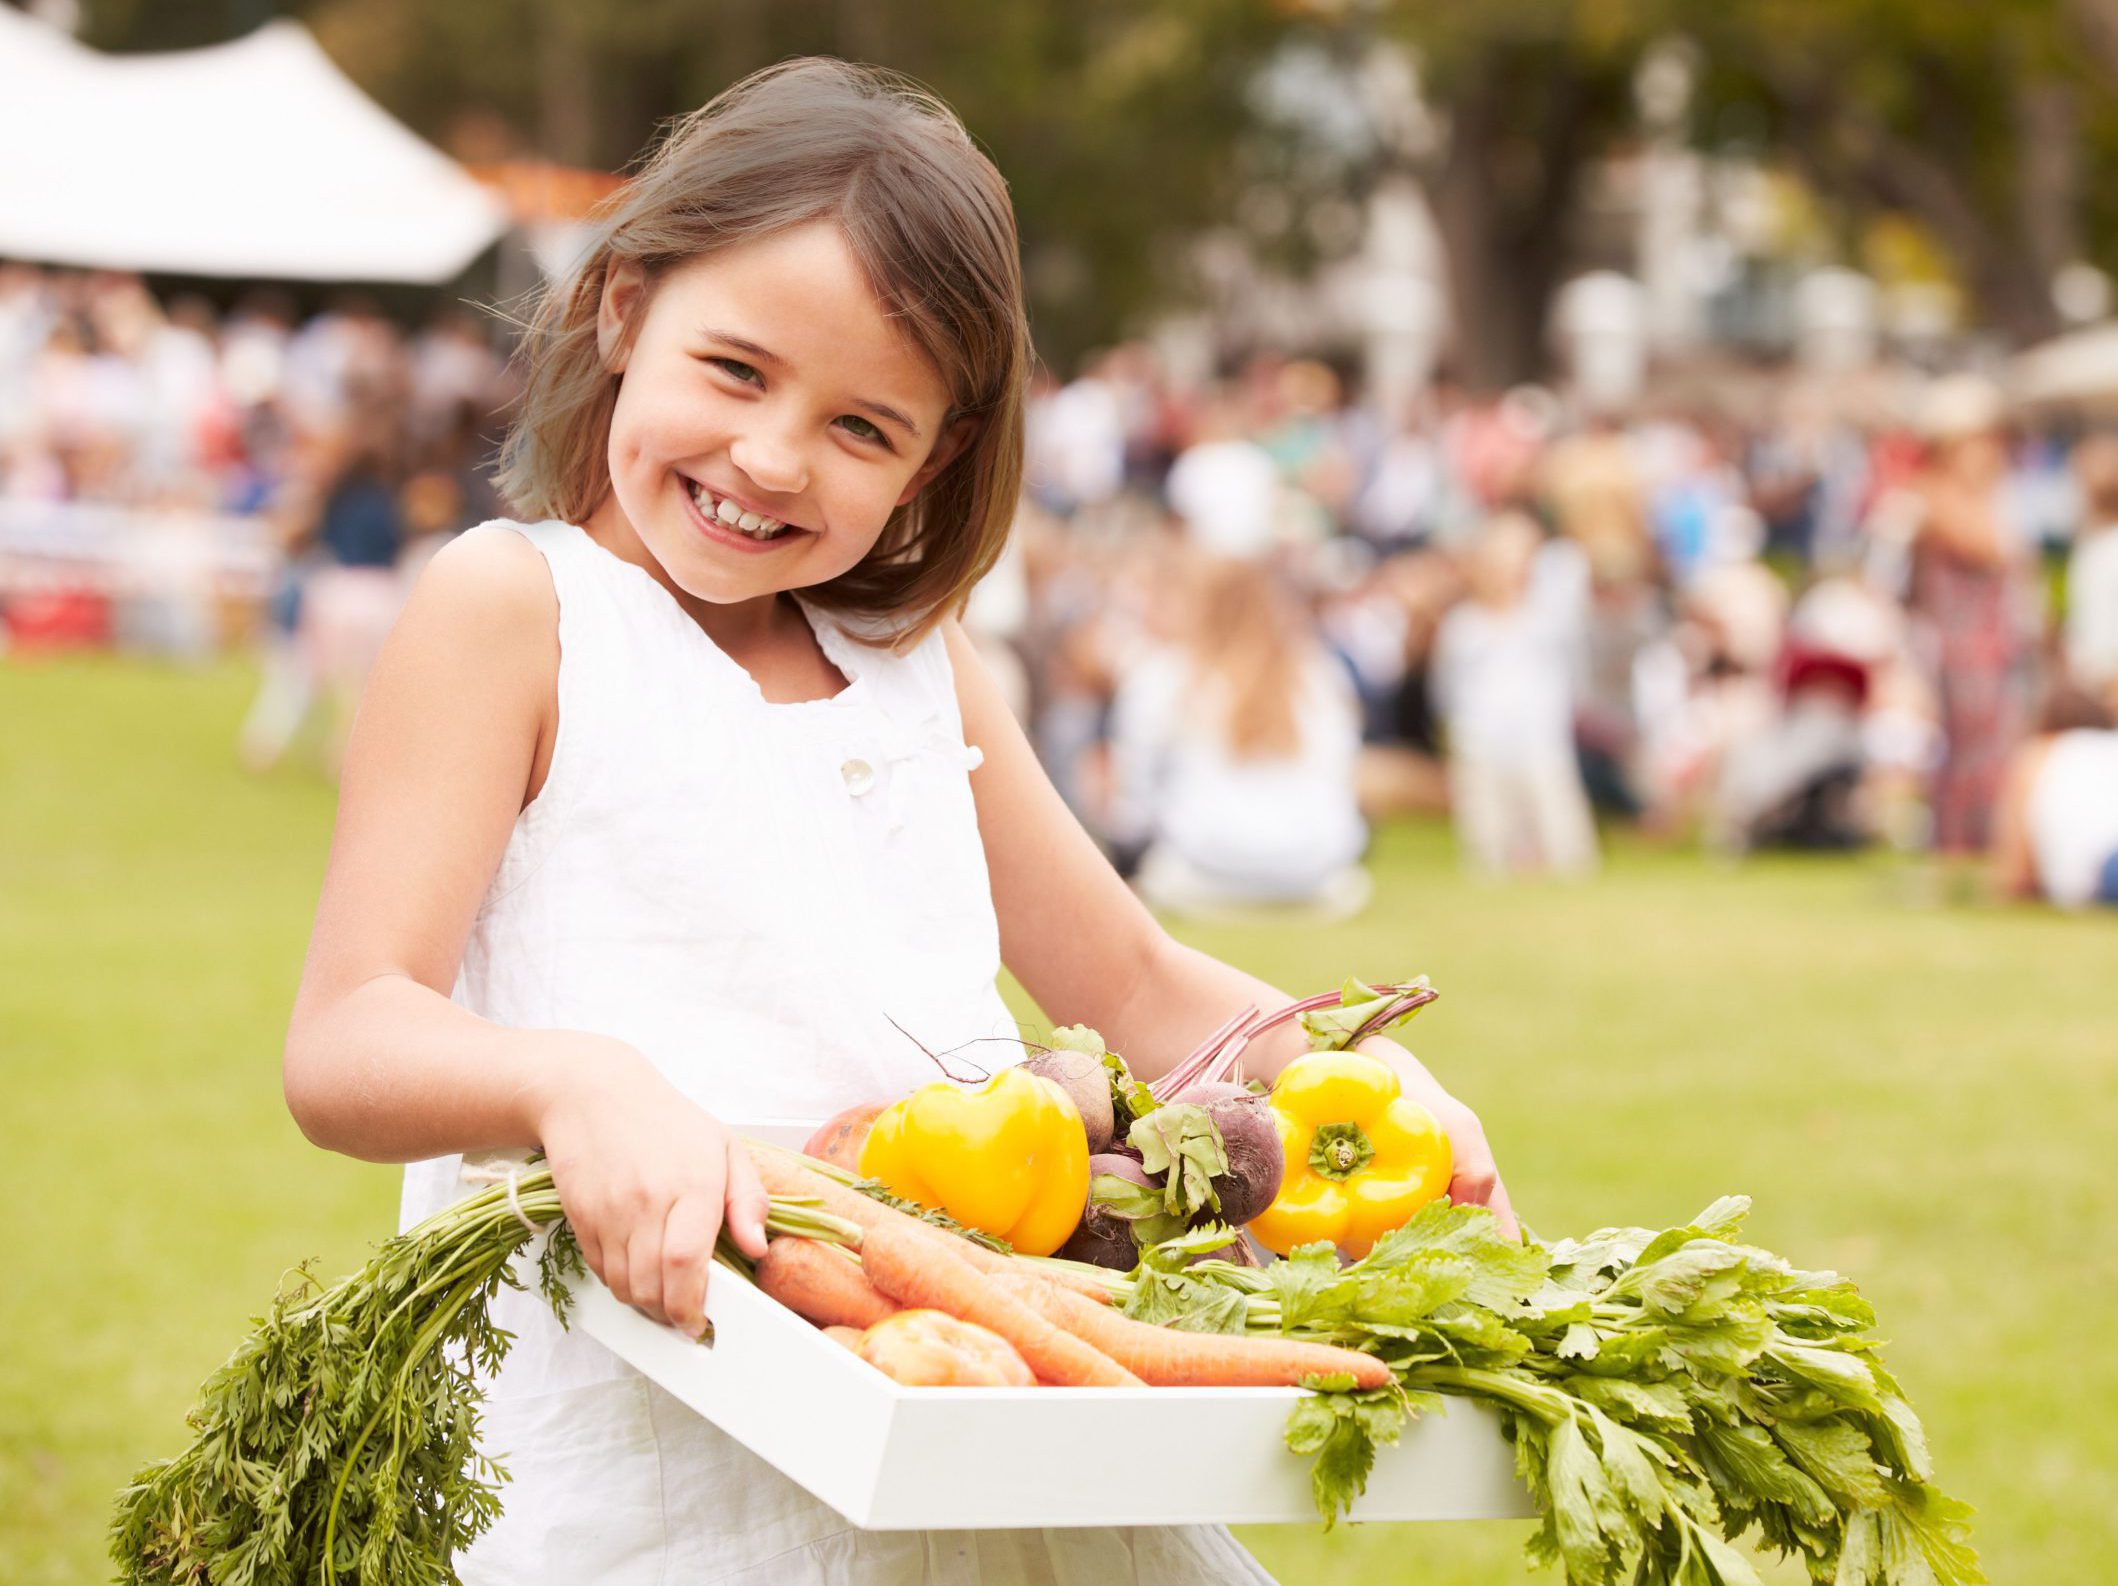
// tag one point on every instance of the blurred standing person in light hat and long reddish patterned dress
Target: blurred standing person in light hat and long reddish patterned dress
(1973, 602)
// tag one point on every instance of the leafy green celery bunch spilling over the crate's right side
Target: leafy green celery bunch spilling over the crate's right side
(1668, 1394)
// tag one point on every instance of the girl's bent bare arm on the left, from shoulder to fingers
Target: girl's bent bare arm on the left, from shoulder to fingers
(452, 740)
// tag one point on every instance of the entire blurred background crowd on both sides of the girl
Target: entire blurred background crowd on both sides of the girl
(1246, 617)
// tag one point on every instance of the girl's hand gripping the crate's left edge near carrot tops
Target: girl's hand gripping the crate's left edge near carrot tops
(647, 1178)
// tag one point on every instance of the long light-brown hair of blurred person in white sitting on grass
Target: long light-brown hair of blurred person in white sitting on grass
(1249, 641)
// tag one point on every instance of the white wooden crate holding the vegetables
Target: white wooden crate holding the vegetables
(982, 1458)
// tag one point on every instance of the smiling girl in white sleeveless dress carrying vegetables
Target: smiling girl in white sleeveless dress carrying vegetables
(660, 808)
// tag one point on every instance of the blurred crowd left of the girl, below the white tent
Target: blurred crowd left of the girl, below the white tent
(357, 444)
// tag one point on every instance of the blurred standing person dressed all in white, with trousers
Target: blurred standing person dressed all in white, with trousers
(1503, 683)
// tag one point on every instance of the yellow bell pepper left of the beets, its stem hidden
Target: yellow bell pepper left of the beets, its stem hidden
(1009, 1159)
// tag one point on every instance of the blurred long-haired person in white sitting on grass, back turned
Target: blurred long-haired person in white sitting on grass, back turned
(1234, 757)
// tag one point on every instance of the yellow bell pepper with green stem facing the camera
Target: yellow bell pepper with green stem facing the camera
(1361, 1157)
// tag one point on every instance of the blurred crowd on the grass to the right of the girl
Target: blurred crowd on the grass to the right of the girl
(1257, 613)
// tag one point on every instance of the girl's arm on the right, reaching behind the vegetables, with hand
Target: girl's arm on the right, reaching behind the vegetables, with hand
(1090, 952)
